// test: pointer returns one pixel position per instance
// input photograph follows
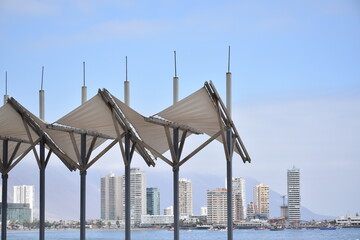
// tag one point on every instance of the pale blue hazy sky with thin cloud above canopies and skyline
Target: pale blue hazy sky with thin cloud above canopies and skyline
(295, 65)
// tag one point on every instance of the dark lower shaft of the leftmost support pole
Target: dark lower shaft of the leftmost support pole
(4, 192)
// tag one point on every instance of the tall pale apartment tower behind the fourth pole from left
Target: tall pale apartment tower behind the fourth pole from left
(137, 195)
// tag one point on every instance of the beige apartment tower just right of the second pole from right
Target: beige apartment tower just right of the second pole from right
(185, 197)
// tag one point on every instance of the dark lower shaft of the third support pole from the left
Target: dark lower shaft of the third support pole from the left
(83, 188)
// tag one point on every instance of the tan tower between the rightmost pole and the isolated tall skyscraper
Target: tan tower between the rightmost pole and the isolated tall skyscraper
(261, 199)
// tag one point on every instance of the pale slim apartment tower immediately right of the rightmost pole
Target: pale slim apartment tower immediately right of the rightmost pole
(239, 201)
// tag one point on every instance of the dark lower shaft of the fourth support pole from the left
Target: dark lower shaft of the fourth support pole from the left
(127, 188)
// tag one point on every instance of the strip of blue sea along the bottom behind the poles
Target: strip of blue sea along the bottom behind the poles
(304, 234)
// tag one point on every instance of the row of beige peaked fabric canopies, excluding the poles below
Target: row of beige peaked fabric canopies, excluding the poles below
(105, 117)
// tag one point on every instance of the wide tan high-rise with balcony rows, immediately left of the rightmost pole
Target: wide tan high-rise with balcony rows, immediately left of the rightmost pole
(217, 206)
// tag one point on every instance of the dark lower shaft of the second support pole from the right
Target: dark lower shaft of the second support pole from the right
(176, 185)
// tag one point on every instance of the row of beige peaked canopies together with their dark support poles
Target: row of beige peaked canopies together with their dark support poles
(104, 119)
